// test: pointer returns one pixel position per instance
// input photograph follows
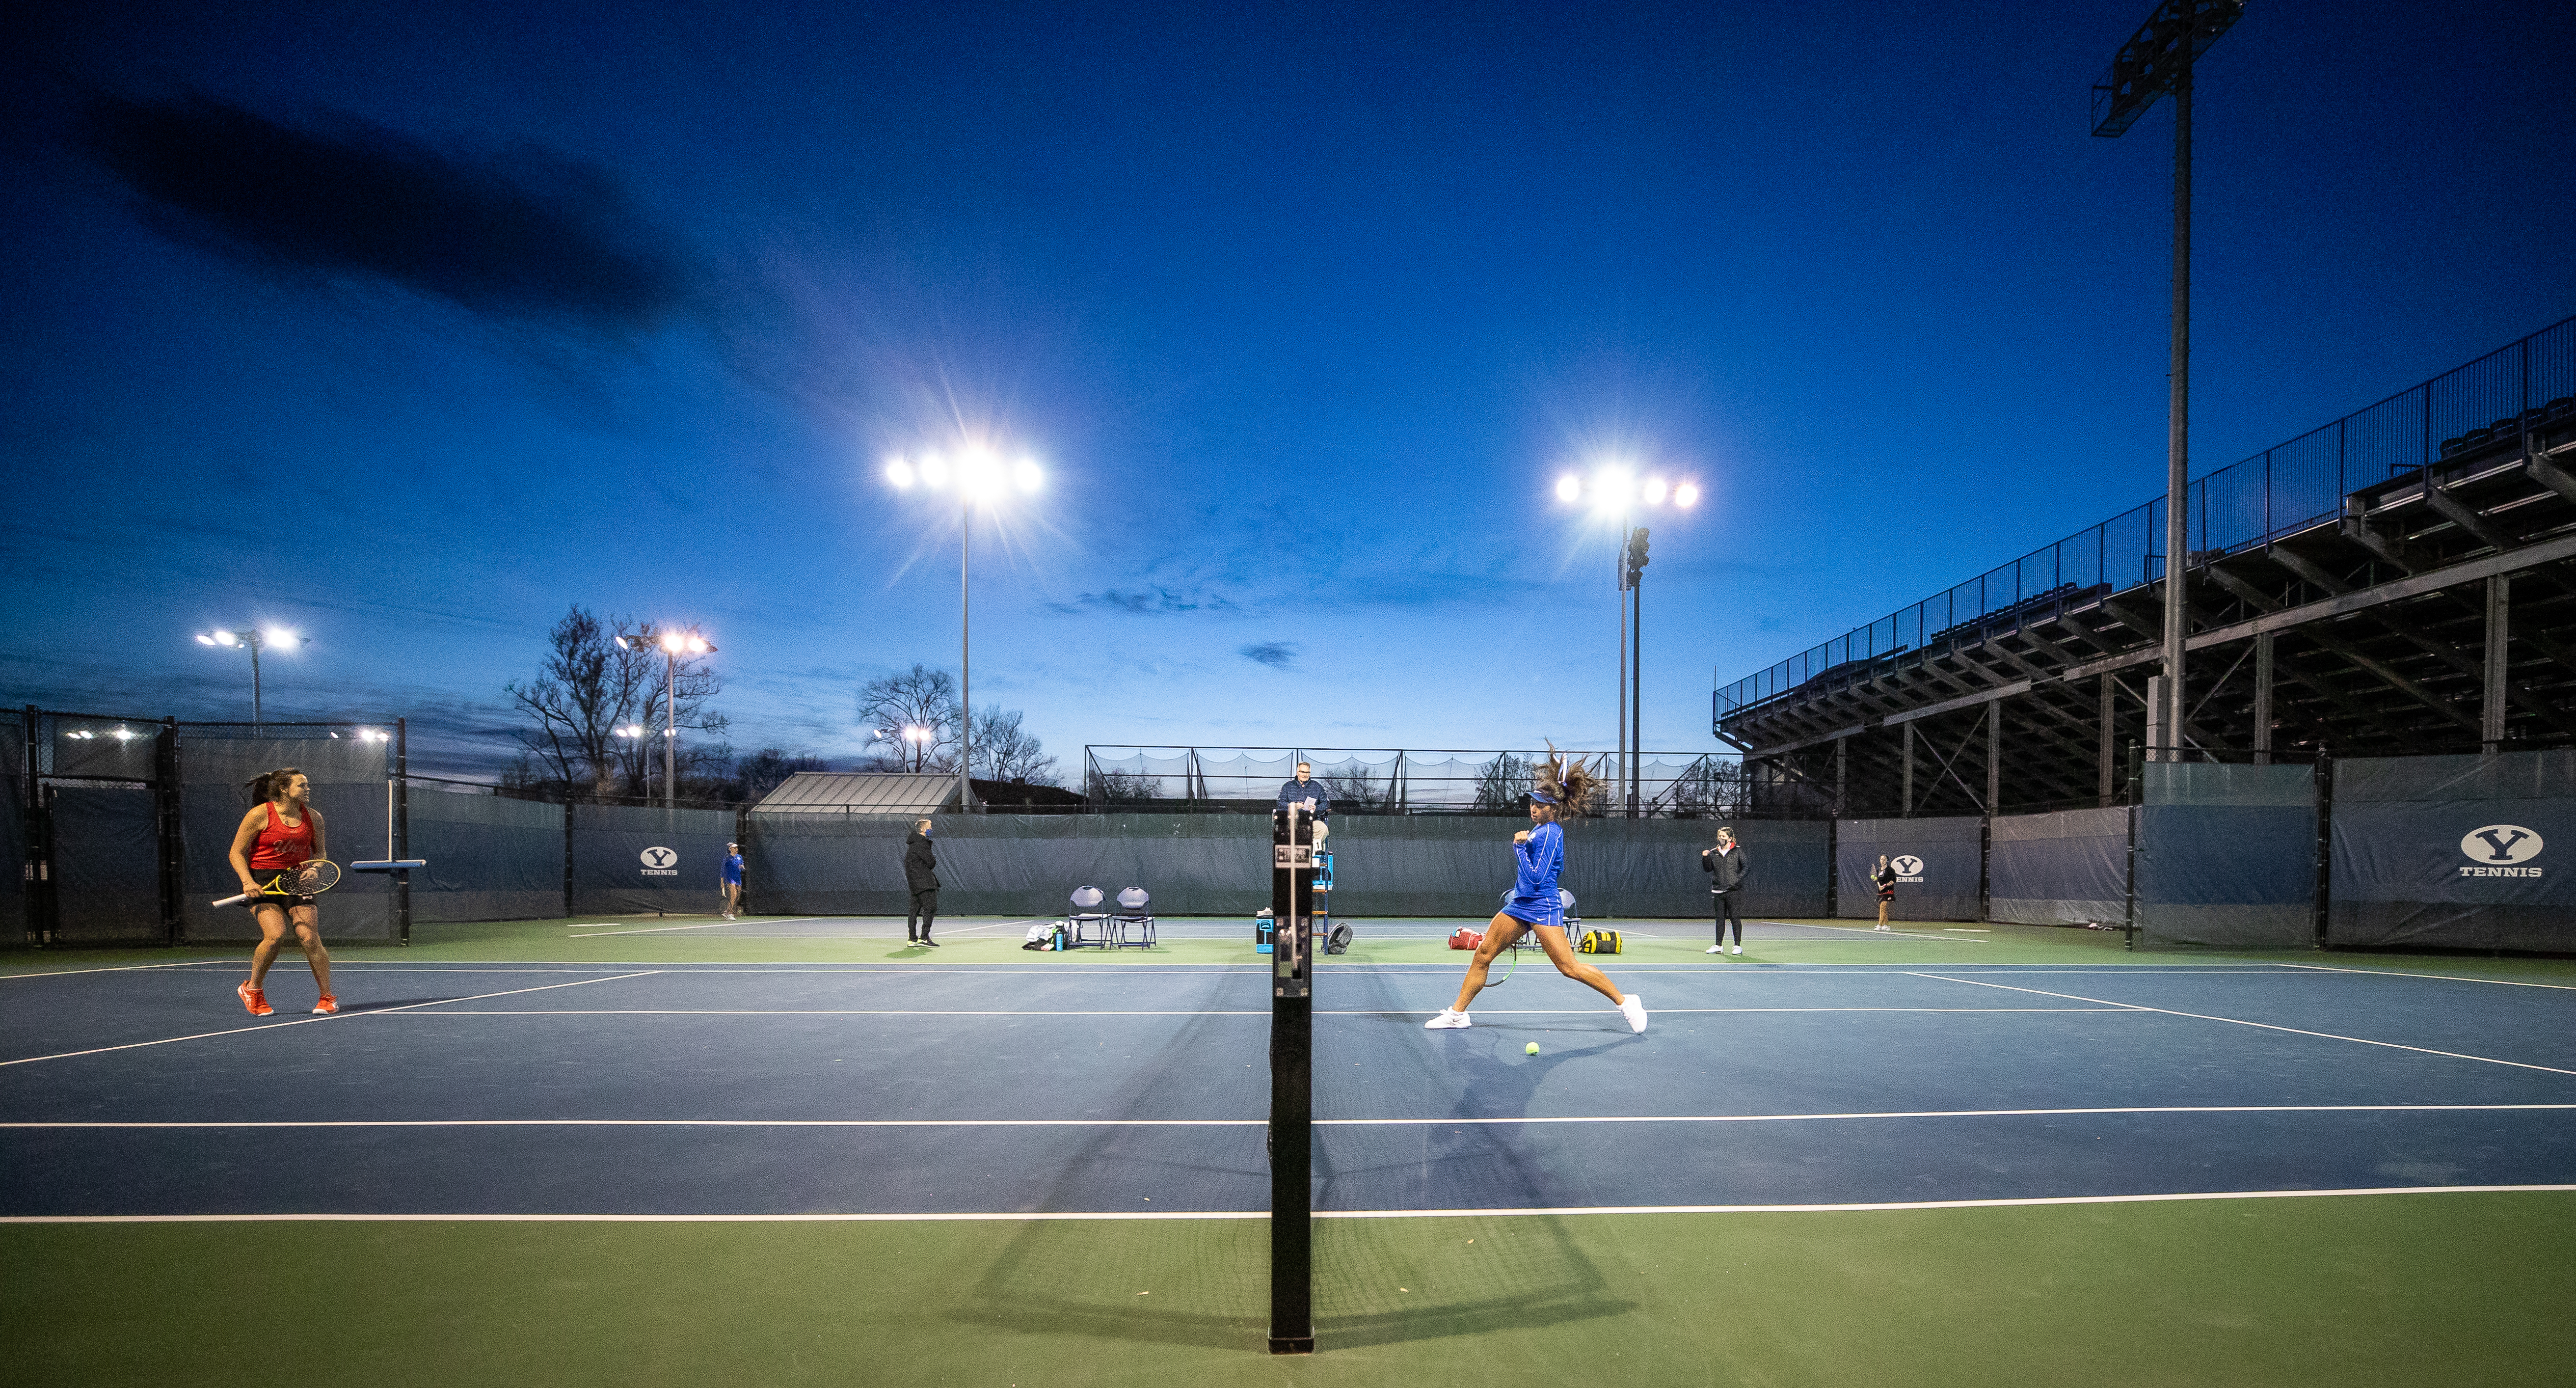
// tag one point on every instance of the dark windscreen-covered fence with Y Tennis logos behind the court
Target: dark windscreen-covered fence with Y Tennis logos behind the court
(125, 830)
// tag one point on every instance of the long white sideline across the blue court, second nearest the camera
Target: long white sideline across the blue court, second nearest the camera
(1513, 1121)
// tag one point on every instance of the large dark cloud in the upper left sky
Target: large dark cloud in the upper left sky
(542, 238)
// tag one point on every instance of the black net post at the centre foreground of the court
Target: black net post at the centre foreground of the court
(1292, 1083)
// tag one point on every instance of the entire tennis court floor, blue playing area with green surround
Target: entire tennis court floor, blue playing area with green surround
(1918, 1158)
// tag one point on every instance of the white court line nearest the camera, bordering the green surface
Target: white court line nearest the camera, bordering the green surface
(1034, 1217)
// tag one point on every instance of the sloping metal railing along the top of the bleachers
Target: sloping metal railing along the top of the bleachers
(2235, 509)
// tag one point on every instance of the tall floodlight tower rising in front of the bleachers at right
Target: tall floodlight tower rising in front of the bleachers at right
(2160, 61)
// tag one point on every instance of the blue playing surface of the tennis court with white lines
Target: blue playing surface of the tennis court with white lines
(1037, 1088)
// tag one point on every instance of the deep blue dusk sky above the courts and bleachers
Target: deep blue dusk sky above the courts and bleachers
(1305, 310)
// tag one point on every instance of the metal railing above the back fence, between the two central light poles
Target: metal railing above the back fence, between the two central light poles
(1392, 782)
